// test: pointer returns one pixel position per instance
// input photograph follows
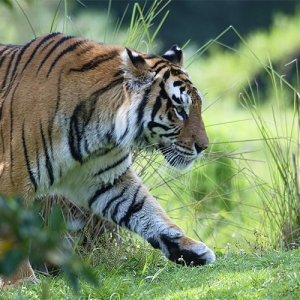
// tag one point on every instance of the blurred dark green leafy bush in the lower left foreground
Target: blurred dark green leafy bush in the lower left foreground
(23, 235)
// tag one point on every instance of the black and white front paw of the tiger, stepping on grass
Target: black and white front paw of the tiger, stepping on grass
(188, 251)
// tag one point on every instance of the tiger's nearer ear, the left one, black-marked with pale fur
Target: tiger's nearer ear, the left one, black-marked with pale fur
(136, 69)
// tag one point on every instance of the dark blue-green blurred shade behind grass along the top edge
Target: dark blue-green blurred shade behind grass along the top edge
(209, 18)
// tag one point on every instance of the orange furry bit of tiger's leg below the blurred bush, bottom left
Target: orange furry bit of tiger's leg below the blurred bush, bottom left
(23, 274)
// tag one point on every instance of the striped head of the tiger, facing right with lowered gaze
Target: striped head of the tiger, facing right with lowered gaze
(166, 105)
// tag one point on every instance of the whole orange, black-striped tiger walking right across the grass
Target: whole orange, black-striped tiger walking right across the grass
(73, 110)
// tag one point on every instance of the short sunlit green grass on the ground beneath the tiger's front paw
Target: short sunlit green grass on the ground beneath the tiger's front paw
(144, 274)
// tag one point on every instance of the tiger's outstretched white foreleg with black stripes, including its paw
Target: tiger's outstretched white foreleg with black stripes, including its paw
(129, 204)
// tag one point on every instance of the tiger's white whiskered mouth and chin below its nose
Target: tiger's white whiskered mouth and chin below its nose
(175, 158)
